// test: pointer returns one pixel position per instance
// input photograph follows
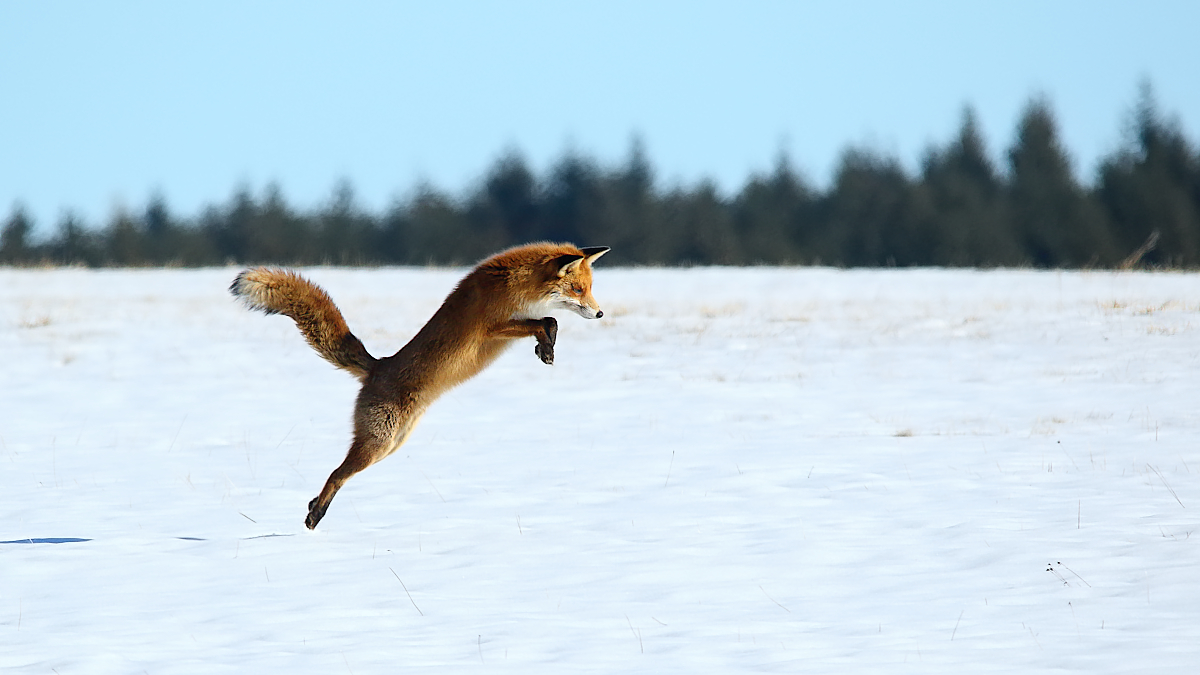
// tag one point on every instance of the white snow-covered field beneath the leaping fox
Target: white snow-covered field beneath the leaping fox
(736, 470)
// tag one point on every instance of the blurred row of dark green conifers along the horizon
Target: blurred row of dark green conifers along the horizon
(959, 210)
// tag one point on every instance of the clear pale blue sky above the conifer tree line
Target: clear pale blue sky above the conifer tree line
(104, 104)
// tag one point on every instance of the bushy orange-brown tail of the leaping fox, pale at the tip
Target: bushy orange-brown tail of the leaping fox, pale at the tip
(281, 291)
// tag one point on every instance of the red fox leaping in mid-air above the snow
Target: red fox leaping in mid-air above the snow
(505, 298)
